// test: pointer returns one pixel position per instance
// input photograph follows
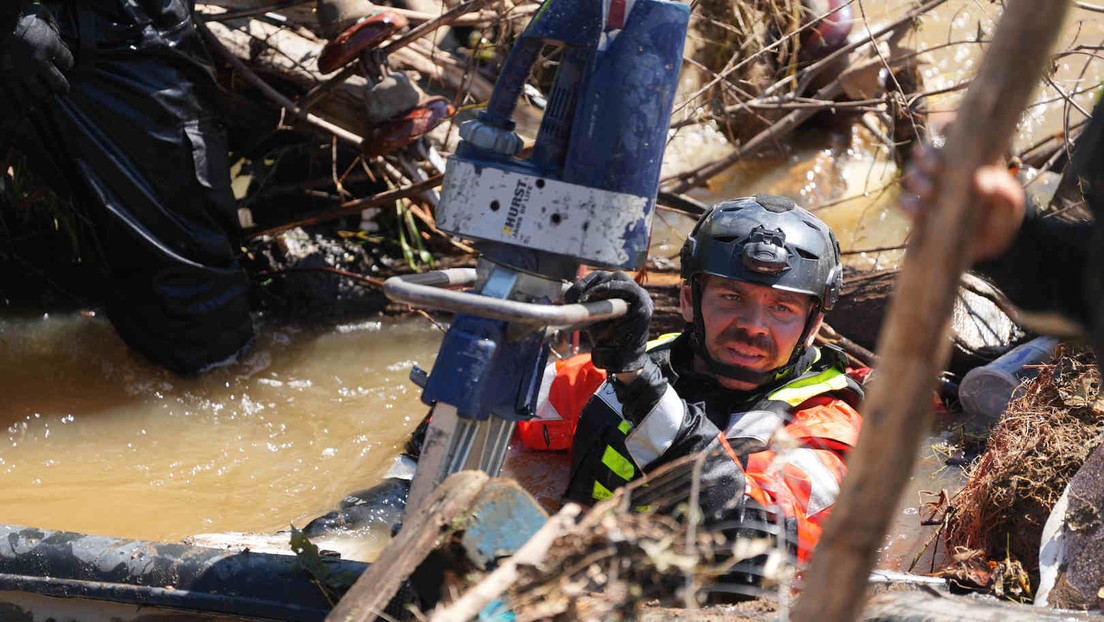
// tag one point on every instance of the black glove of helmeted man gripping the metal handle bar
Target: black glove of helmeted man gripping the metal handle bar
(619, 344)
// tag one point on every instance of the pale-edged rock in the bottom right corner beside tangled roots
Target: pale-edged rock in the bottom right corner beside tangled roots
(1071, 555)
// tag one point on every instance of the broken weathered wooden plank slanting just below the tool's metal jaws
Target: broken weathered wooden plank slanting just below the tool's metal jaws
(376, 588)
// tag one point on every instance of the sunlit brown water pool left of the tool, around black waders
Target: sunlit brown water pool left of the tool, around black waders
(98, 440)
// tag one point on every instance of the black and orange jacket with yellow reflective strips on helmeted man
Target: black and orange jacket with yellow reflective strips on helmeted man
(672, 413)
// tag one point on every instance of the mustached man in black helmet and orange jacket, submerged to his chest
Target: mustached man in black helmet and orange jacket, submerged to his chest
(759, 273)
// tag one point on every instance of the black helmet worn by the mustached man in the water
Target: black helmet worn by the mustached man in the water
(767, 240)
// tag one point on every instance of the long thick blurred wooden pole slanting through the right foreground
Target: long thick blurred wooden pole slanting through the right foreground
(912, 352)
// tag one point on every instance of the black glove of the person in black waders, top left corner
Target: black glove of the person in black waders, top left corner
(34, 61)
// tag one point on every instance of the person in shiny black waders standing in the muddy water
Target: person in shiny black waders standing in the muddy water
(118, 100)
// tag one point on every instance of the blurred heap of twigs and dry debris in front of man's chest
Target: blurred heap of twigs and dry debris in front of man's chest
(617, 561)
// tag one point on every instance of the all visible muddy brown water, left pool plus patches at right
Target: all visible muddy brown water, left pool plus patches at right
(97, 440)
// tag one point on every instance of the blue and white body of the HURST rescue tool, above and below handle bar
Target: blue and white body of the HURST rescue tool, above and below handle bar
(604, 129)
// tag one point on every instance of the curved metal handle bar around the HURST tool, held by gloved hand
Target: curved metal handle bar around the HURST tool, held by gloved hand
(426, 290)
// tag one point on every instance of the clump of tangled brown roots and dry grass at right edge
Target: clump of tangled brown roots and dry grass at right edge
(1041, 444)
